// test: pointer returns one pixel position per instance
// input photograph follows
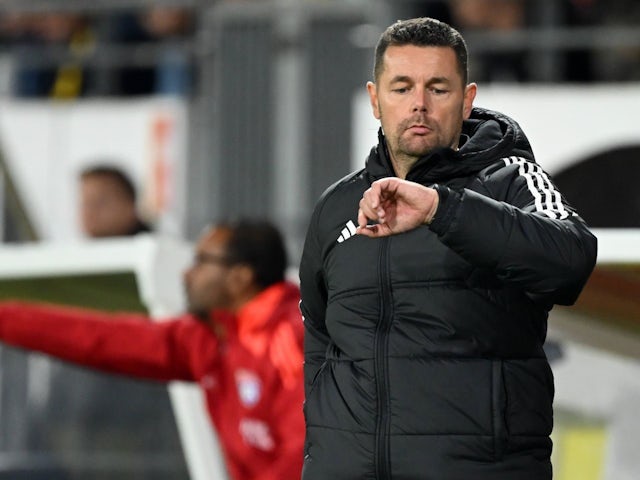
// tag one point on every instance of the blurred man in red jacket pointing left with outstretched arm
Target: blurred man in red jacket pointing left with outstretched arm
(241, 341)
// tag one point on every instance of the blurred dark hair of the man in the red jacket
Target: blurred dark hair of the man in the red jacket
(260, 245)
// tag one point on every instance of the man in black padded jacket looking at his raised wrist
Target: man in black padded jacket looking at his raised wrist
(427, 278)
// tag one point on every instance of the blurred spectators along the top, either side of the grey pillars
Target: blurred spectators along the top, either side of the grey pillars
(67, 49)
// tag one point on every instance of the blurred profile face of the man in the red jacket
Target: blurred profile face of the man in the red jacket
(207, 280)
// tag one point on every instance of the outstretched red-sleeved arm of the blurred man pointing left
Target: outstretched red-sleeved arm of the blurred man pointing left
(128, 344)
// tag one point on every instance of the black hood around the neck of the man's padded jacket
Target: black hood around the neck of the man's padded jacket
(486, 137)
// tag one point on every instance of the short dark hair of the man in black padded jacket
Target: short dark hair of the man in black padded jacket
(422, 32)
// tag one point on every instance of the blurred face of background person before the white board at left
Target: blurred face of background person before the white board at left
(105, 209)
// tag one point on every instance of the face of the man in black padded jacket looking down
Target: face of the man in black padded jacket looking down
(420, 100)
